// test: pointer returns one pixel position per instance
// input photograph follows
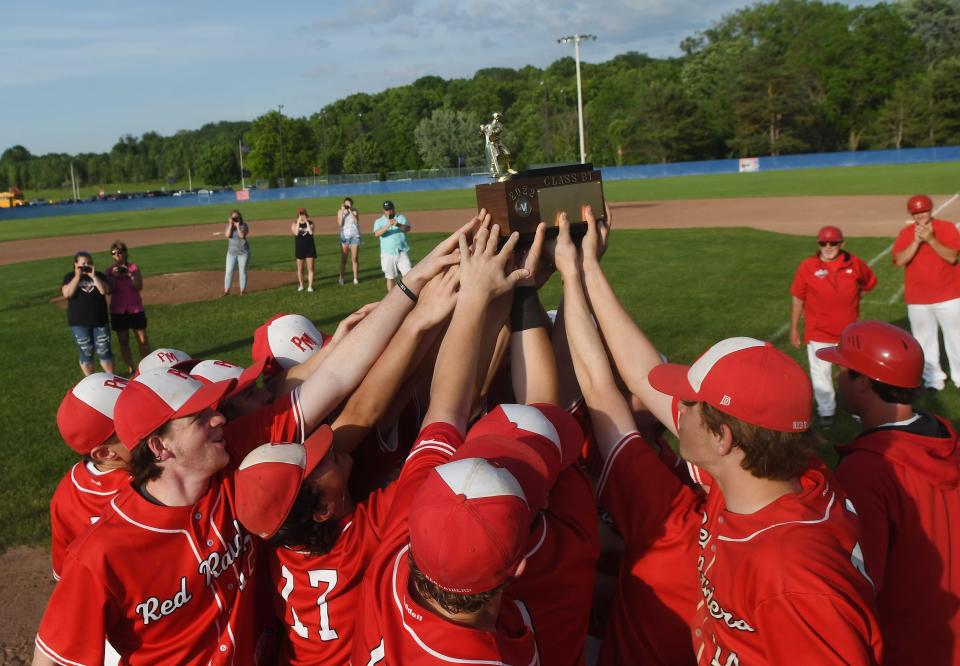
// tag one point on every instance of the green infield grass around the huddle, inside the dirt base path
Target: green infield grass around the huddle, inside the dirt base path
(686, 288)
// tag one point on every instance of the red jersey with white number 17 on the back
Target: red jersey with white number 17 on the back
(316, 596)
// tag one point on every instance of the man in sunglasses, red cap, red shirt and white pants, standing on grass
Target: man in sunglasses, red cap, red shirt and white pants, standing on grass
(826, 291)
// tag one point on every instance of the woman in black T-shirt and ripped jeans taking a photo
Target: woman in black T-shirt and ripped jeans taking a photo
(85, 289)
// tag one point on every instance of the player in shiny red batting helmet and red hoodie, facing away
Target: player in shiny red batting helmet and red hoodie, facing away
(903, 475)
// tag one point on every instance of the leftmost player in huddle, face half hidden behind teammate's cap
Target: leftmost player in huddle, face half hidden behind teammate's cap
(85, 421)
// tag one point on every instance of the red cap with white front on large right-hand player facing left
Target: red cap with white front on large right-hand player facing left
(748, 379)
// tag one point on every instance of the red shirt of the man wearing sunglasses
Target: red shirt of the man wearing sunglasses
(830, 291)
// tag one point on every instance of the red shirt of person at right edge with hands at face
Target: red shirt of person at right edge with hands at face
(928, 278)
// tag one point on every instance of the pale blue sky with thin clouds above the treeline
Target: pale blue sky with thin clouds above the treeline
(78, 75)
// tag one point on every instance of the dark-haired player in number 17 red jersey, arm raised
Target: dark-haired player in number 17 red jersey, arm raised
(321, 542)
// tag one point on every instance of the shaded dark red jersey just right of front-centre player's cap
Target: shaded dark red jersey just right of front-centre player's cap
(562, 555)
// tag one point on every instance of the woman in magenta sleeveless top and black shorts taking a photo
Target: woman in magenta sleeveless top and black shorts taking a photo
(126, 306)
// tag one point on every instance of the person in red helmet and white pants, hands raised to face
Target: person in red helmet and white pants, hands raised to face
(927, 249)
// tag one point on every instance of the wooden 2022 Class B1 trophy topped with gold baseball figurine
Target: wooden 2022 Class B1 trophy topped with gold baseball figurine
(520, 201)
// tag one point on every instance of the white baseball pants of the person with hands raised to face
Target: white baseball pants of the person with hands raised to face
(924, 320)
